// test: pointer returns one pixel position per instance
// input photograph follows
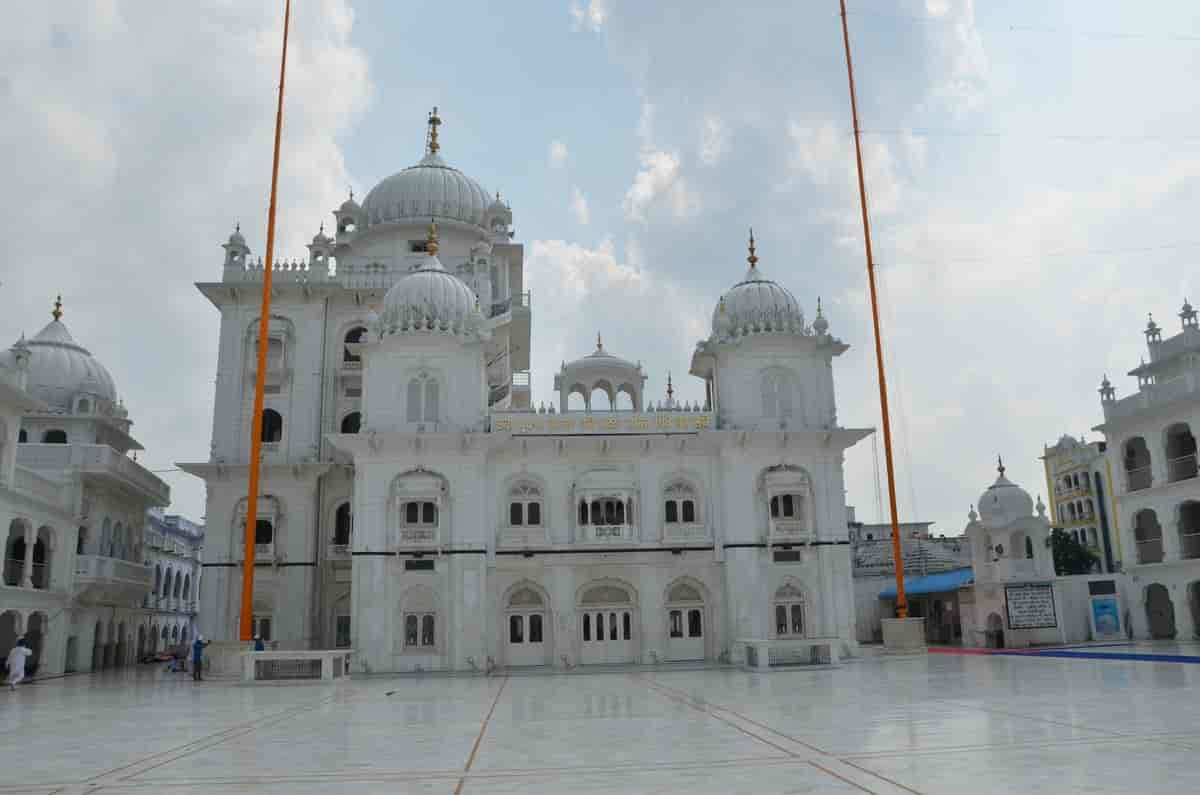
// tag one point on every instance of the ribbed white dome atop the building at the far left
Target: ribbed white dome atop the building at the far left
(61, 369)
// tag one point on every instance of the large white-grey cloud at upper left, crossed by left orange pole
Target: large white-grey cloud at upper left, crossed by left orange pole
(134, 163)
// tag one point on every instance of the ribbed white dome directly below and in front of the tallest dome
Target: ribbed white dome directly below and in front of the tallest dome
(430, 300)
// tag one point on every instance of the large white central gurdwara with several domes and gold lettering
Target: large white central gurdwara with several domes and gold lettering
(416, 507)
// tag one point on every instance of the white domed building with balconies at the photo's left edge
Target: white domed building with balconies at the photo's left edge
(73, 507)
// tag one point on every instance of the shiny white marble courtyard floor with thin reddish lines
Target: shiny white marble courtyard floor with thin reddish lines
(944, 725)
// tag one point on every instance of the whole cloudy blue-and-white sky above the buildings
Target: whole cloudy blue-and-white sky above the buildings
(1033, 172)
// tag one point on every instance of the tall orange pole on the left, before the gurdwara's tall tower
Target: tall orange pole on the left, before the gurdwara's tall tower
(256, 434)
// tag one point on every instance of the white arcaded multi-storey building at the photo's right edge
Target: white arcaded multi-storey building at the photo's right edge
(1153, 452)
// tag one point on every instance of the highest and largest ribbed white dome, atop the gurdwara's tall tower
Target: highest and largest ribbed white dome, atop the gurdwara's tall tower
(429, 189)
